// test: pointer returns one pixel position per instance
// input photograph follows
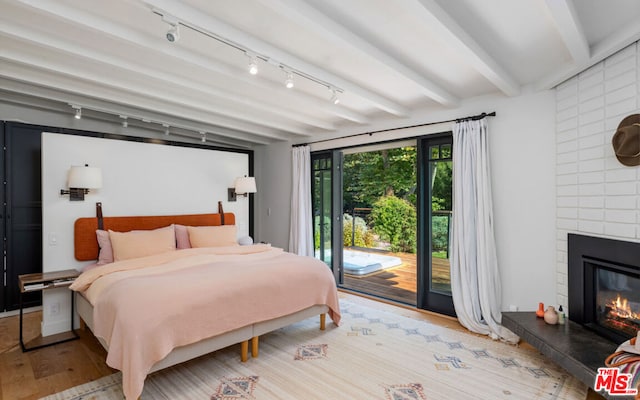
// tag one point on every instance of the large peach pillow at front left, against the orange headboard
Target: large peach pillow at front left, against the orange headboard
(134, 244)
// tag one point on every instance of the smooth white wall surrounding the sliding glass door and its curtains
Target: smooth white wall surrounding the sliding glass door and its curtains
(522, 143)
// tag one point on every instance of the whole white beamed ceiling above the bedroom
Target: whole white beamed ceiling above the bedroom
(387, 59)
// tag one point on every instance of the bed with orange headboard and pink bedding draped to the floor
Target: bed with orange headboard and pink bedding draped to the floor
(158, 310)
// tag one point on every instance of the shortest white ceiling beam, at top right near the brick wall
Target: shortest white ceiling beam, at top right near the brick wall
(570, 29)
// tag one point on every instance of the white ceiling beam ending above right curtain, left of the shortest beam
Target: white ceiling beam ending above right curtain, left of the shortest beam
(459, 40)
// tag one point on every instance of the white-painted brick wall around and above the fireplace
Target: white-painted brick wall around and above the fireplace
(597, 195)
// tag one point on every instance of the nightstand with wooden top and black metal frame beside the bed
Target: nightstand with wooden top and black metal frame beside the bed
(44, 281)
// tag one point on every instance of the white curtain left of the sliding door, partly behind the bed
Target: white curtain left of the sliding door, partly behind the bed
(301, 229)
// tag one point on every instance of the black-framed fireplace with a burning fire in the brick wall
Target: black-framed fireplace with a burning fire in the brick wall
(604, 285)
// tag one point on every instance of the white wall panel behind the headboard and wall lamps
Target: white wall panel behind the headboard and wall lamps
(138, 179)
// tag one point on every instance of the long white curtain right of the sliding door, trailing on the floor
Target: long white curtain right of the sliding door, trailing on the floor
(475, 279)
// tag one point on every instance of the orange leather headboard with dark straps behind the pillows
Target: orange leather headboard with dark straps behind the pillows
(84, 230)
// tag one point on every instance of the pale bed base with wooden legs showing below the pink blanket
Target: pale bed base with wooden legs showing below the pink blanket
(241, 335)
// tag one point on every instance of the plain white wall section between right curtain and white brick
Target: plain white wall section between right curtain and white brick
(522, 151)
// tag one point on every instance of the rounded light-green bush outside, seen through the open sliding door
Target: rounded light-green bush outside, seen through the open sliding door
(395, 220)
